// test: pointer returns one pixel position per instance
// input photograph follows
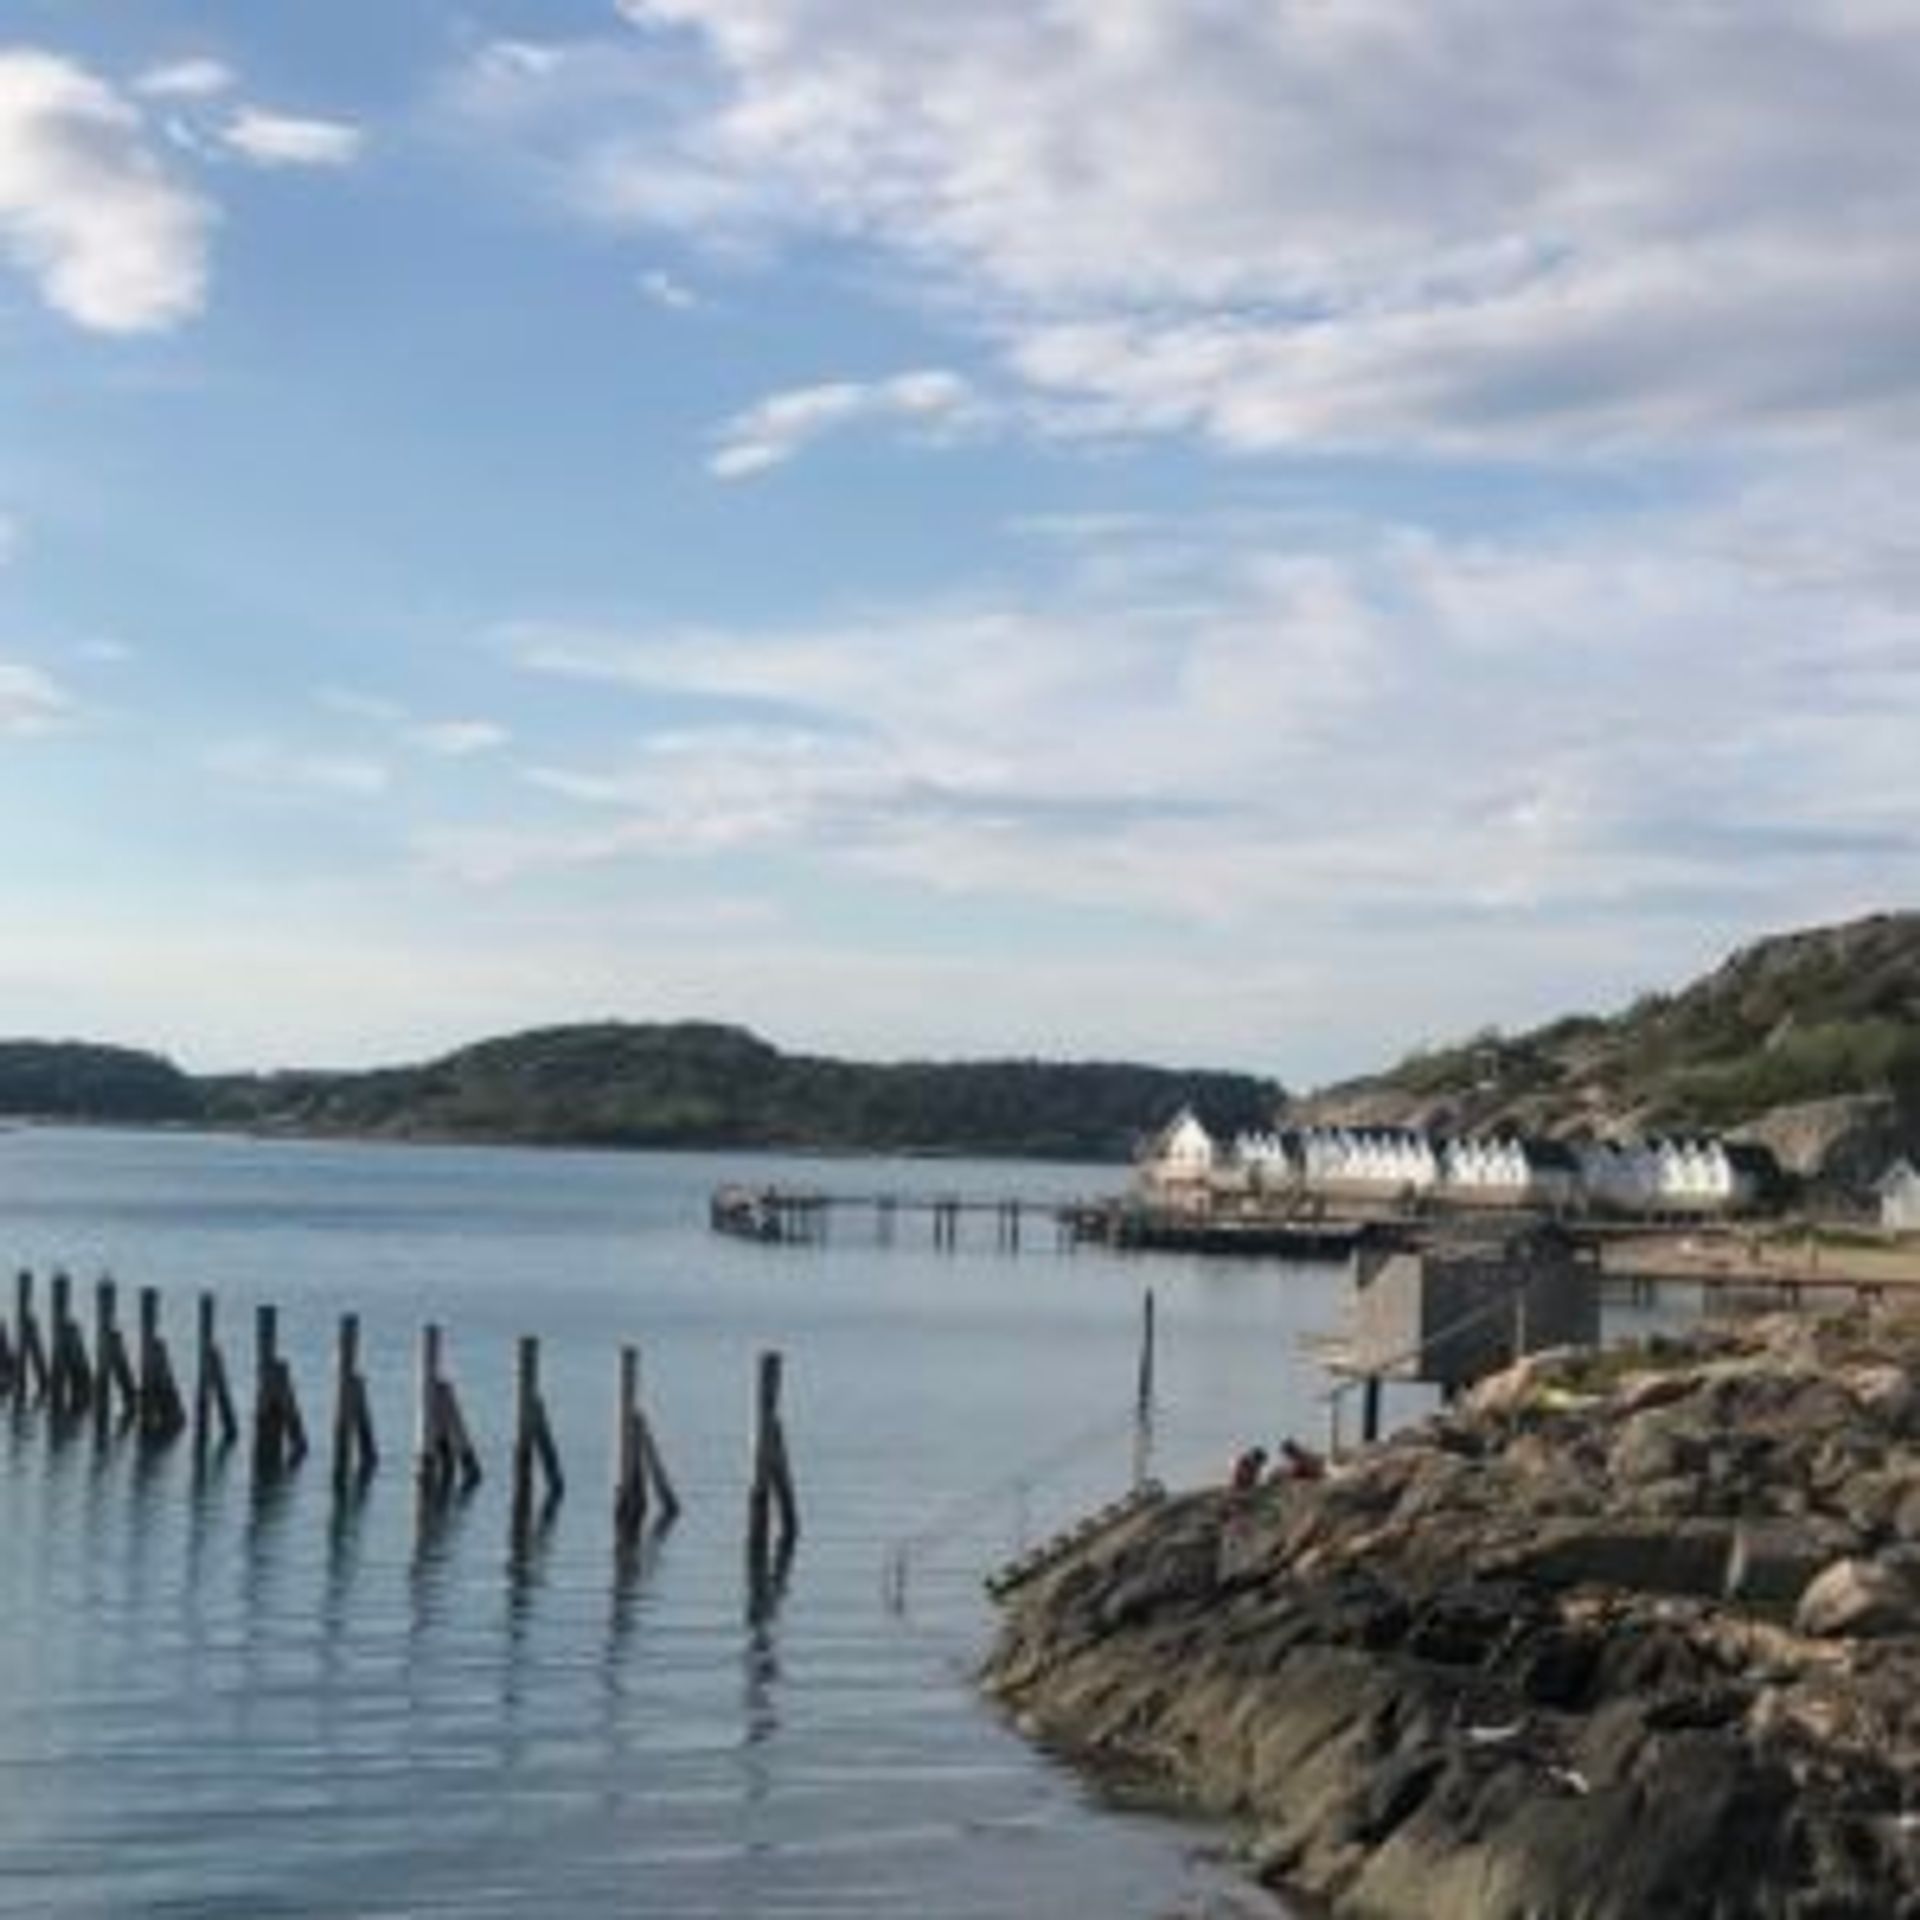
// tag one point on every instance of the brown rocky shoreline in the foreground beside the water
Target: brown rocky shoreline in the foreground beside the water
(1621, 1637)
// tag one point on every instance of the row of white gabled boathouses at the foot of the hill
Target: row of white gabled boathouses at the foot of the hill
(1637, 1176)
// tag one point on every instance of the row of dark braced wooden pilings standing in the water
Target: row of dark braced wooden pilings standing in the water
(53, 1368)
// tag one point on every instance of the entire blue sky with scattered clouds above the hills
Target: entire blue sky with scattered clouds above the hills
(1234, 533)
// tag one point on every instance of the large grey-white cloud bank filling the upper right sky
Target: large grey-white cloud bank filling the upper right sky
(1314, 226)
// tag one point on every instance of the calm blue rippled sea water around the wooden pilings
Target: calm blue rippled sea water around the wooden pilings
(228, 1702)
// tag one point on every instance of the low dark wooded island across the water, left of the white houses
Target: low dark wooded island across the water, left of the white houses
(661, 1086)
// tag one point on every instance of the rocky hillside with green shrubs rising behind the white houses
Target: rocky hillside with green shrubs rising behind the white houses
(1810, 1042)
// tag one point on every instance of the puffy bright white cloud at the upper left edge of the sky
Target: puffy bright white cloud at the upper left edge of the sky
(87, 210)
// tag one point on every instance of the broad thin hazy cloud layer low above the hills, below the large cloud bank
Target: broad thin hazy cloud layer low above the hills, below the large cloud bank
(1295, 734)
